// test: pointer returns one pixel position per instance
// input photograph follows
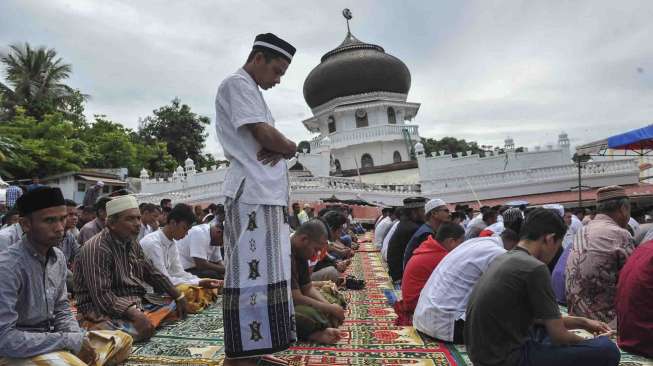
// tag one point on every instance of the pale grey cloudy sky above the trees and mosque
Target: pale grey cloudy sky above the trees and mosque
(482, 70)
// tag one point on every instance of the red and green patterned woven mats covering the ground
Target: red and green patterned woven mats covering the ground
(368, 335)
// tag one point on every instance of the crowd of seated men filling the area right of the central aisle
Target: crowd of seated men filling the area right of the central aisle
(495, 281)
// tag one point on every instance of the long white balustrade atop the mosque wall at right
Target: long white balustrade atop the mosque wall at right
(530, 176)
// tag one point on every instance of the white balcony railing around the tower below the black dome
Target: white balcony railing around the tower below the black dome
(362, 135)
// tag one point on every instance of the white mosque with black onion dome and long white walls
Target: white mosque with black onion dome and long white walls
(368, 149)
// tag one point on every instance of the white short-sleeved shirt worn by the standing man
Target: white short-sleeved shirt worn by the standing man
(239, 102)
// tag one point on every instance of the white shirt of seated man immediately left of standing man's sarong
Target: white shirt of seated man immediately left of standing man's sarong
(197, 244)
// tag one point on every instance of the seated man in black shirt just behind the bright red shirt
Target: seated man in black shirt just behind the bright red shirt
(409, 222)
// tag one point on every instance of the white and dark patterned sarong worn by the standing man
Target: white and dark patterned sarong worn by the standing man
(258, 309)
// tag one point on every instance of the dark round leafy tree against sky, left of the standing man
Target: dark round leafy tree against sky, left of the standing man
(182, 130)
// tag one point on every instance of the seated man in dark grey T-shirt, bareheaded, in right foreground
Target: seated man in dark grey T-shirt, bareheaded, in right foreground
(512, 316)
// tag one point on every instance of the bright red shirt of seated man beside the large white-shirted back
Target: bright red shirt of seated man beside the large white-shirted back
(418, 270)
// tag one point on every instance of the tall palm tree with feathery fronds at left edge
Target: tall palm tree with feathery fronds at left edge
(35, 81)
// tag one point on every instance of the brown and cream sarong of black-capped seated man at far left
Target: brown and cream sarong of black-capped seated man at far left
(112, 348)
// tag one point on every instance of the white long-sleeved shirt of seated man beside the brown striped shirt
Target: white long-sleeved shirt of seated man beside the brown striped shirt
(163, 254)
